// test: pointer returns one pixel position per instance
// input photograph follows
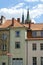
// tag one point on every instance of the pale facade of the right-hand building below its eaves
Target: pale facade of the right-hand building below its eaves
(35, 55)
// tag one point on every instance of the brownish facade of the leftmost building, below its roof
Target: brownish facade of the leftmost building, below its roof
(4, 46)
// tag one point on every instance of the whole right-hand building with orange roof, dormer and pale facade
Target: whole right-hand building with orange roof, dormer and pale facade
(35, 44)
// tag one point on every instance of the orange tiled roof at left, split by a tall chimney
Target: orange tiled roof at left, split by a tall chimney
(9, 22)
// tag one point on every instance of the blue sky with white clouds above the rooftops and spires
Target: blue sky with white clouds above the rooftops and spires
(15, 8)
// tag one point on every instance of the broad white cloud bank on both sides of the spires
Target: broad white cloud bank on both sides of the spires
(17, 10)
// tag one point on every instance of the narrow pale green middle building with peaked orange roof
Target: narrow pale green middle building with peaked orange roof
(17, 44)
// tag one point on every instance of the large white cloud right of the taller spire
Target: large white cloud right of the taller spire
(36, 11)
